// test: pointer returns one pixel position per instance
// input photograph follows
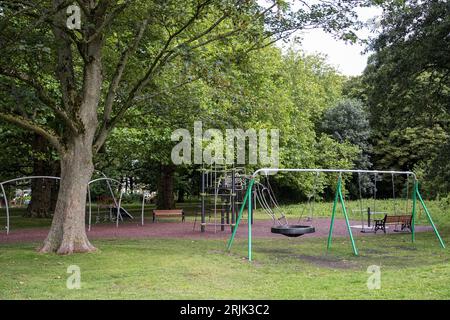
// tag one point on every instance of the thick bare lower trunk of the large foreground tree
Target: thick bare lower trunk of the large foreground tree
(68, 234)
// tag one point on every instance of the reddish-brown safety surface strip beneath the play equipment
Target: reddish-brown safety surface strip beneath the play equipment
(178, 230)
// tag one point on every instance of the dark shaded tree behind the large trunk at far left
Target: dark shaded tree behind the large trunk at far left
(25, 153)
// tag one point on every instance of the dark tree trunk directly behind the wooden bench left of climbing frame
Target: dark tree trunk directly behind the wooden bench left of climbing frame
(165, 197)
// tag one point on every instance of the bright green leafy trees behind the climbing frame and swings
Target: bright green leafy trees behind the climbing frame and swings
(245, 93)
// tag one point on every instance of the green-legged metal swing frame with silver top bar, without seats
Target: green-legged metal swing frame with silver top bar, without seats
(339, 197)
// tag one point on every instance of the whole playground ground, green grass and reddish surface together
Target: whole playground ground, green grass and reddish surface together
(139, 256)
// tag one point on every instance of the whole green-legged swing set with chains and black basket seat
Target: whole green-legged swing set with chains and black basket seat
(281, 225)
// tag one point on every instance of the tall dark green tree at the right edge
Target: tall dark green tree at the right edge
(406, 86)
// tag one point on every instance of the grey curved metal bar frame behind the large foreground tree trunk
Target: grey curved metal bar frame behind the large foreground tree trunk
(120, 212)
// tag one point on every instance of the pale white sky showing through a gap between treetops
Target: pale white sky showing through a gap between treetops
(347, 58)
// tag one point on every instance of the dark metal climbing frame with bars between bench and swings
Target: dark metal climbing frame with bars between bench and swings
(222, 191)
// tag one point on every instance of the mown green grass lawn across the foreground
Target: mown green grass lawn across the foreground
(283, 268)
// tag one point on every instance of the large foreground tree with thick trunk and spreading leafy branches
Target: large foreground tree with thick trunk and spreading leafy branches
(88, 78)
